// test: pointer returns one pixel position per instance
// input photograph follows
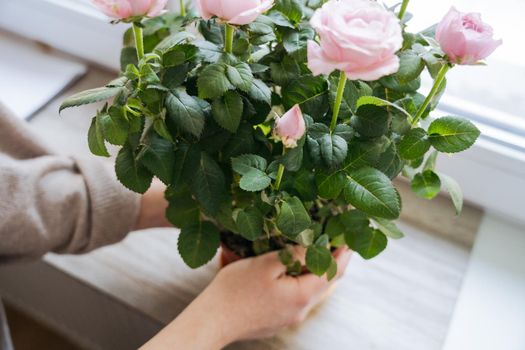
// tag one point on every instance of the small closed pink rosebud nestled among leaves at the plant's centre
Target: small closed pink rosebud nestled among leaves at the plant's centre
(290, 128)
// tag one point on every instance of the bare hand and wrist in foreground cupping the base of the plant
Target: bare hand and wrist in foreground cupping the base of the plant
(252, 298)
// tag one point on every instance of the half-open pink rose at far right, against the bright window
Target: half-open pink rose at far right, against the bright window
(465, 38)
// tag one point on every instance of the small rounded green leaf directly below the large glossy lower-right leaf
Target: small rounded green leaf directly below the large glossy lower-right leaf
(368, 242)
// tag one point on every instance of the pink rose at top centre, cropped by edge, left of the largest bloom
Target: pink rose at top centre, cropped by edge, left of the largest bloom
(238, 12)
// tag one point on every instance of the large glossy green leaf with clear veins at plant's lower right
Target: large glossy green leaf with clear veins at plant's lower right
(371, 191)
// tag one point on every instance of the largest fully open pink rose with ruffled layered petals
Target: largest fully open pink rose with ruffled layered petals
(359, 37)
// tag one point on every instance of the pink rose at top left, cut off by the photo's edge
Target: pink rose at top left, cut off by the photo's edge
(122, 9)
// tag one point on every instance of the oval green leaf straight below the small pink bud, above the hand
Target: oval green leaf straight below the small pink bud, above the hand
(293, 217)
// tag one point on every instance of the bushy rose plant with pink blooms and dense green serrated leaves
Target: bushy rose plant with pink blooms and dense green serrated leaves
(283, 123)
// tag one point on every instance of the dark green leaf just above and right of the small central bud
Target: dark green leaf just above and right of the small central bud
(311, 93)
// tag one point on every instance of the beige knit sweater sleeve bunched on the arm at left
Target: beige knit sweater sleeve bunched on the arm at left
(61, 204)
